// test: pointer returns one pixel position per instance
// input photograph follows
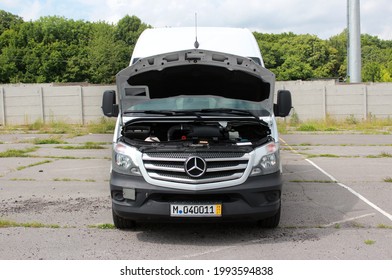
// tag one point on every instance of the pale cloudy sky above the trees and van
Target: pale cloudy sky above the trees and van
(324, 18)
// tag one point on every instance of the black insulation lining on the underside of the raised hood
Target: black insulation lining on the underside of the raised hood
(197, 79)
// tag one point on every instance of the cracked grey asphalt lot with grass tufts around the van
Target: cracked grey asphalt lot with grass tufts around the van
(336, 205)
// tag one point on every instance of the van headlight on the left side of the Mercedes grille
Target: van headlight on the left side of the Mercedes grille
(124, 159)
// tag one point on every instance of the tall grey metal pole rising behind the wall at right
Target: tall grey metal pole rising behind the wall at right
(354, 51)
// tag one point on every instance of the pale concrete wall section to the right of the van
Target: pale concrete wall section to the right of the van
(317, 99)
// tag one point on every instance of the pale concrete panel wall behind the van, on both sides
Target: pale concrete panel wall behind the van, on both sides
(80, 104)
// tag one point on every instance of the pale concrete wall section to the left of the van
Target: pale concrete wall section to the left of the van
(27, 103)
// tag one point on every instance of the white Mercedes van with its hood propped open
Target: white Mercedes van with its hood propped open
(196, 136)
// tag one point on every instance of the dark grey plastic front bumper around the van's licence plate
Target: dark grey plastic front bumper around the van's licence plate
(256, 199)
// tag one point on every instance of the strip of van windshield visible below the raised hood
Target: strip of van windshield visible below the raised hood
(197, 103)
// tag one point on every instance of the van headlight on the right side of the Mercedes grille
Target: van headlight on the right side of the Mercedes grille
(269, 160)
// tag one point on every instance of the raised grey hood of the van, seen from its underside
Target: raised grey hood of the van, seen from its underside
(195, 73)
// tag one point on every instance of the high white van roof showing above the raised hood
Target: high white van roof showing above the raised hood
(237, 41)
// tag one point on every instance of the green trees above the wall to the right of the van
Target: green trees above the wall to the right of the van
(305, 57)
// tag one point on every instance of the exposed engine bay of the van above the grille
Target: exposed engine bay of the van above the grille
(196, 131)
